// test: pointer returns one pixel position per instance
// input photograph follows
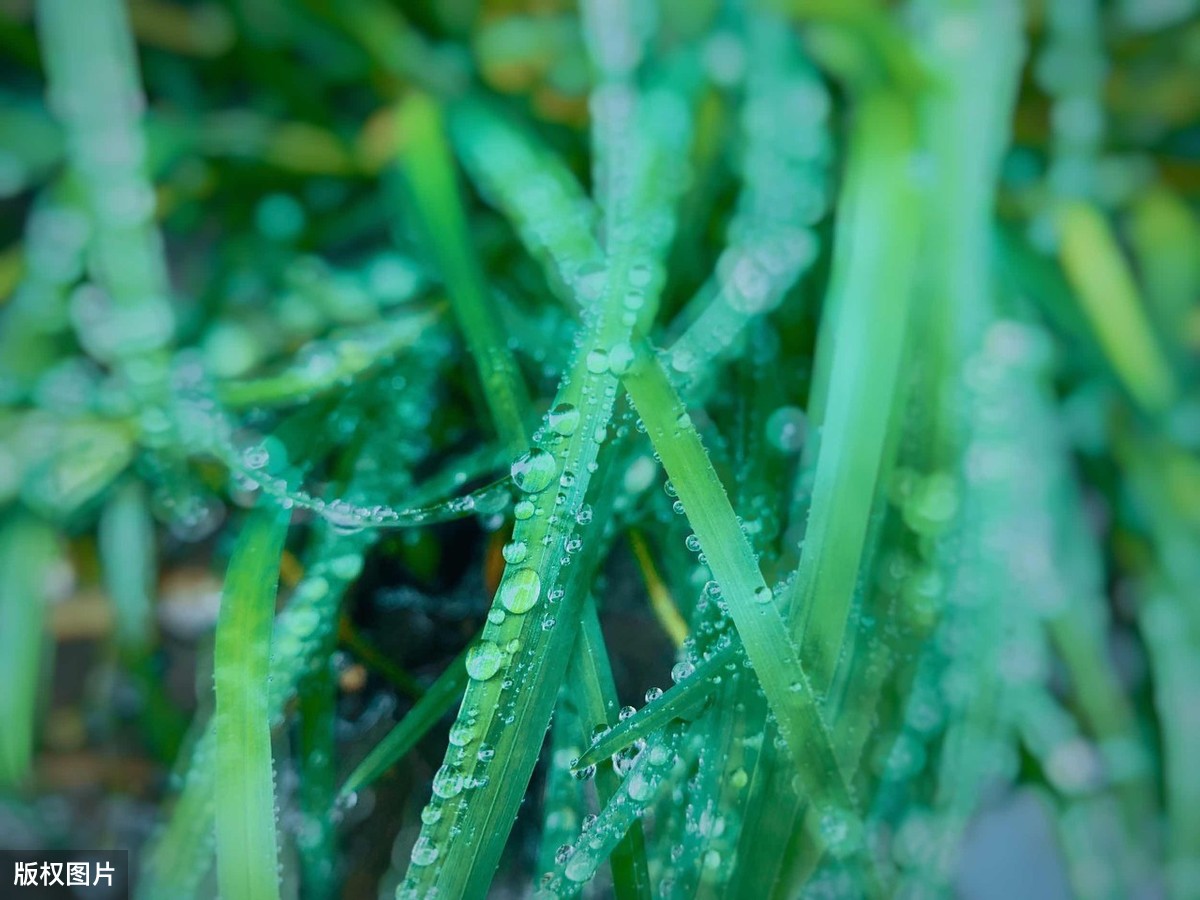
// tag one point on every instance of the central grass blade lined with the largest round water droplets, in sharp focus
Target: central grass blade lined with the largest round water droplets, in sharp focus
(527, 640)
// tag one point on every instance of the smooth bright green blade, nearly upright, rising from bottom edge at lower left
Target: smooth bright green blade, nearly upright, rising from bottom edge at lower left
(245, 793)
